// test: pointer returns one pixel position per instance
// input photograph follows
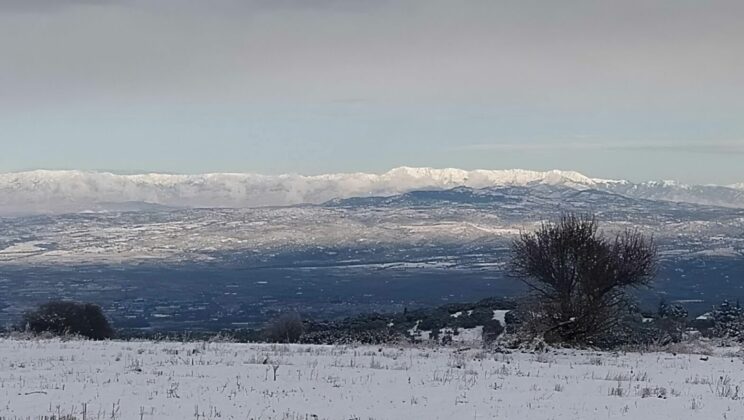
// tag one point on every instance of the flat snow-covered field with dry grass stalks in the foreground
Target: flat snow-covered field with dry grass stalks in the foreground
(145, 380)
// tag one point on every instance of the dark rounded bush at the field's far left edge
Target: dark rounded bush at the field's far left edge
(64, 317)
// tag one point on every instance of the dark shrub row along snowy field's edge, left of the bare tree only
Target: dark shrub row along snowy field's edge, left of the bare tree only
(88, 320)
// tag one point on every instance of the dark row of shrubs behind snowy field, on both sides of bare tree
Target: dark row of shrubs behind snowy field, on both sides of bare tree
(668, 323)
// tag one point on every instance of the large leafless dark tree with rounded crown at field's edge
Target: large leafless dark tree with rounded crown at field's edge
(579, 277)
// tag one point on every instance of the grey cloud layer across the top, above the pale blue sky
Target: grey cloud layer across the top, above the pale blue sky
(569, 55)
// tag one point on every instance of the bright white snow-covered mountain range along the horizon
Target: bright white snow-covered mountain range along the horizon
(49, 192)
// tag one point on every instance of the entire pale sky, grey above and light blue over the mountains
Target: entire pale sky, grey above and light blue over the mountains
(633, 89)
